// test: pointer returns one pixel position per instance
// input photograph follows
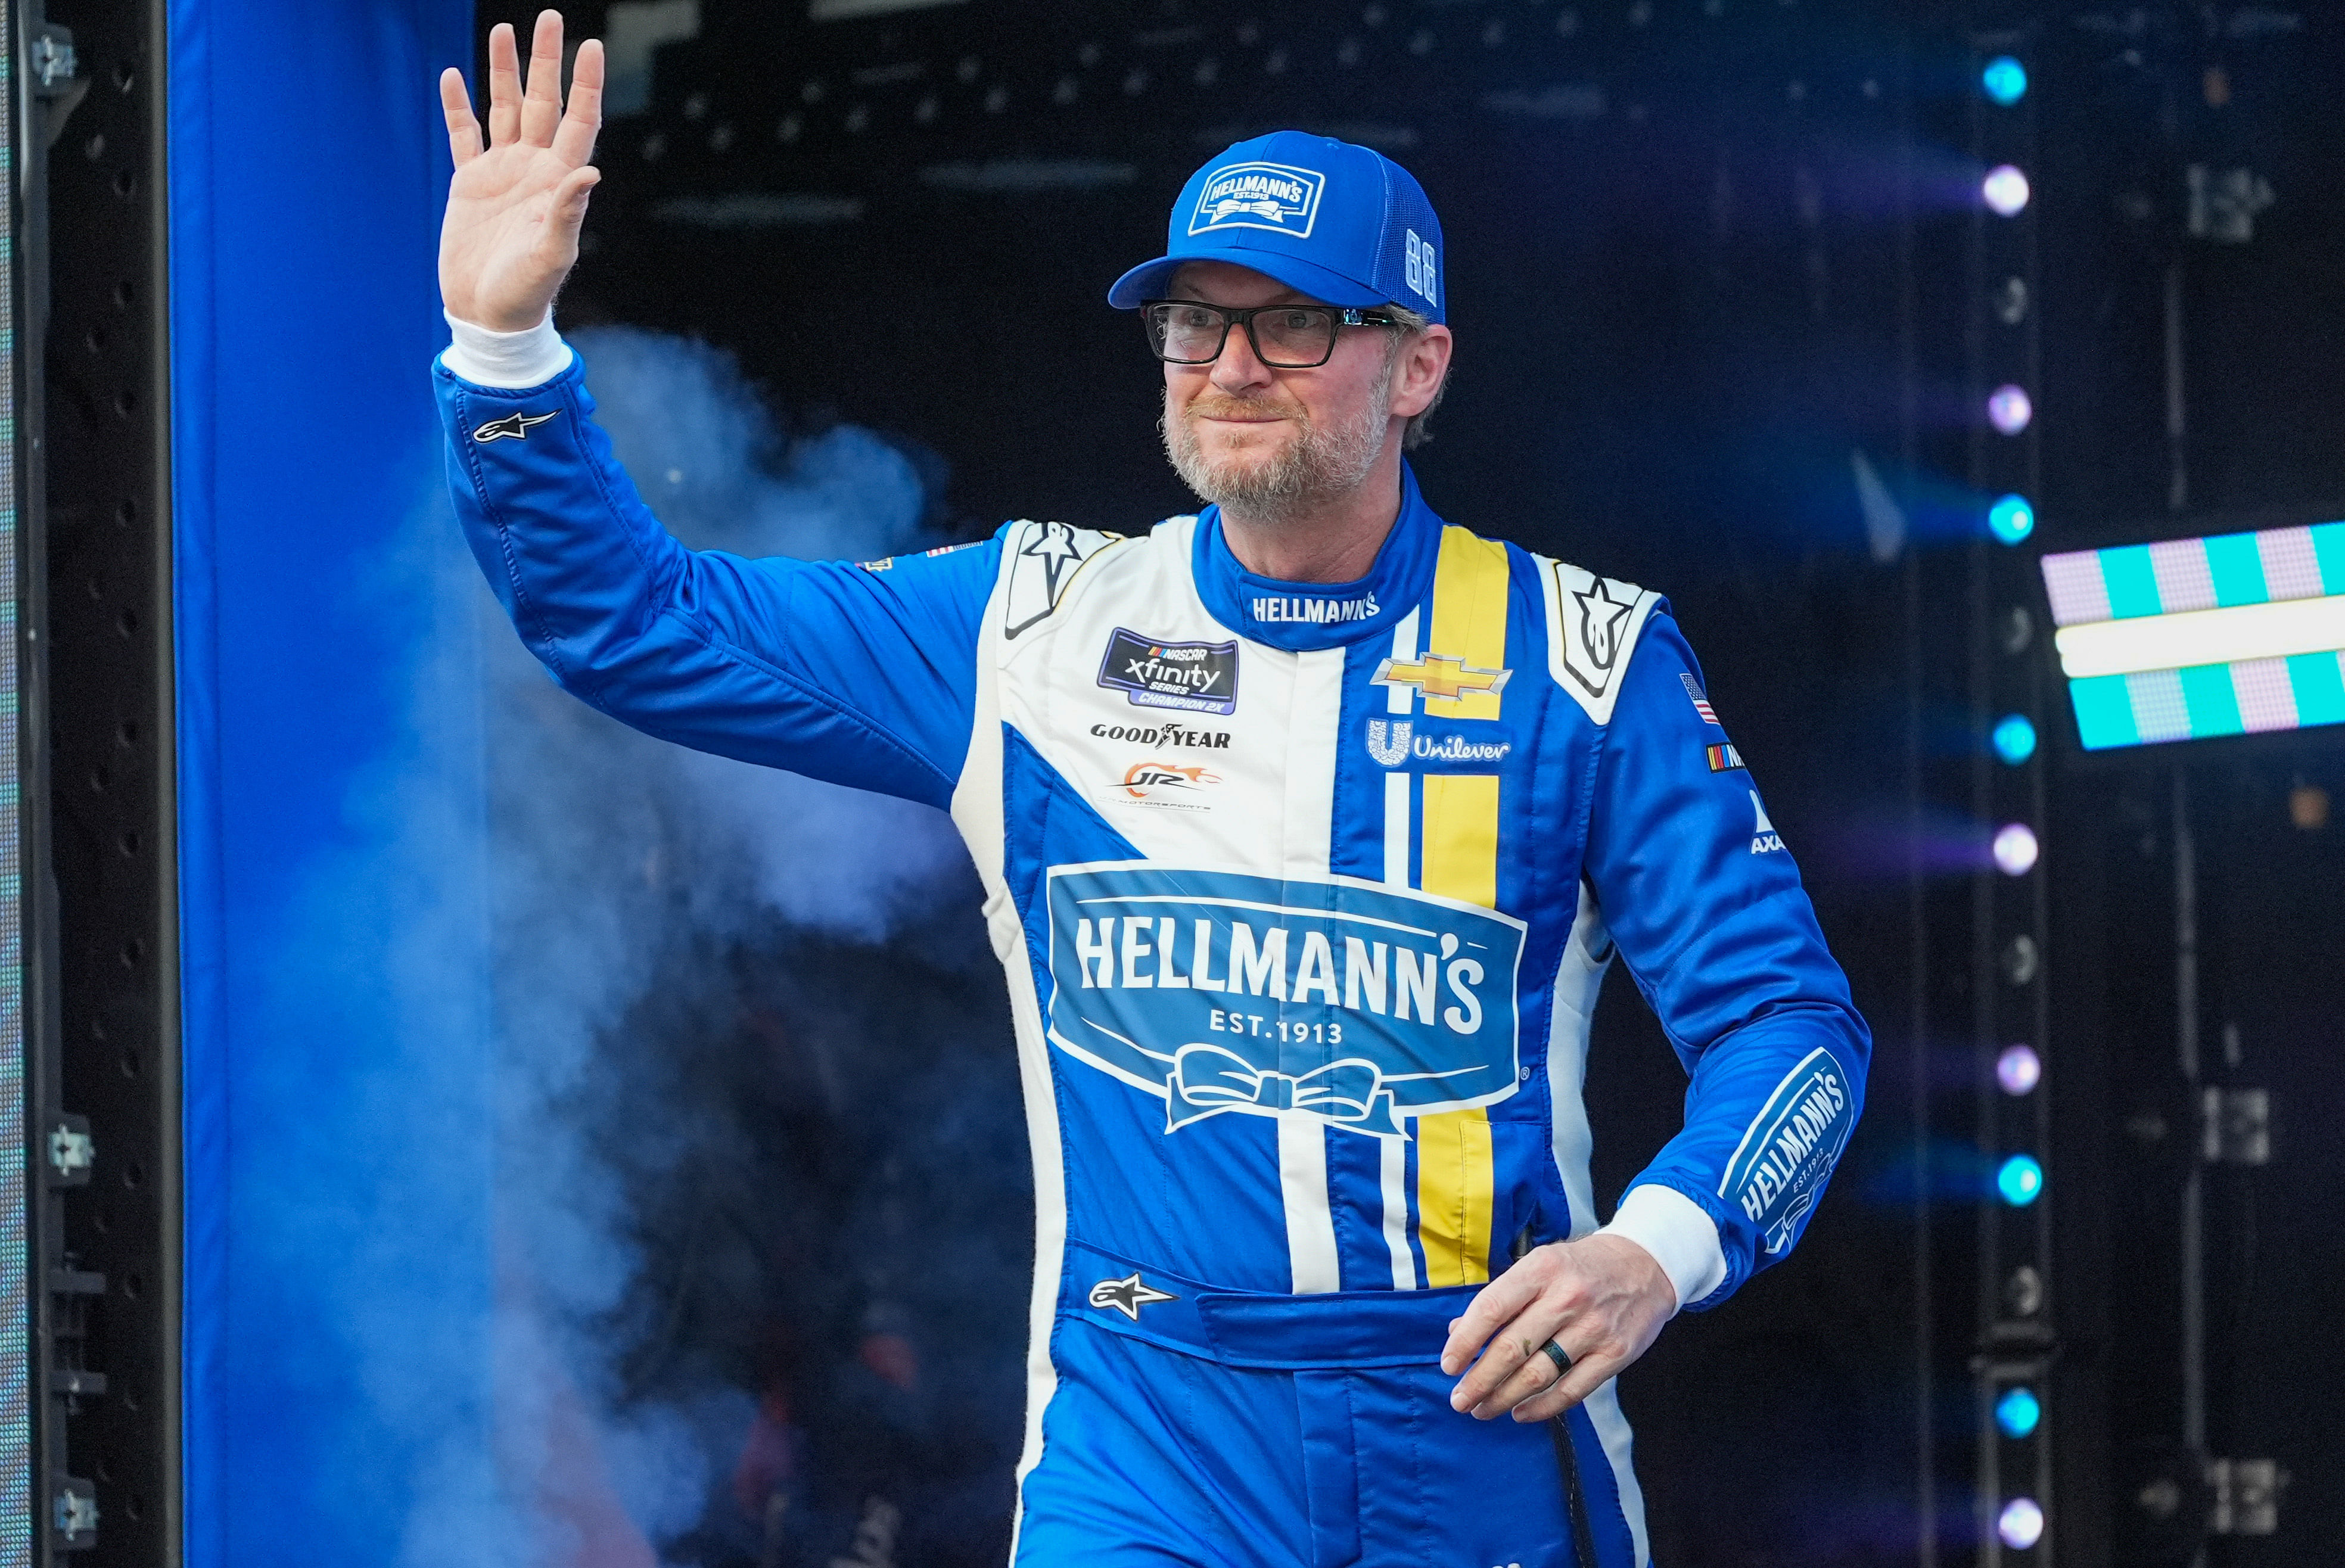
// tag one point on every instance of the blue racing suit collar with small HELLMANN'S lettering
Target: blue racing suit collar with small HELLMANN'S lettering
(1303, 618)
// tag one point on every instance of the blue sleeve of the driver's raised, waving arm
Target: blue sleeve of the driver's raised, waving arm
(829, 669)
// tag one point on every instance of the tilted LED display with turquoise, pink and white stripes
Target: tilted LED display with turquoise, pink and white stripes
(2196, 639)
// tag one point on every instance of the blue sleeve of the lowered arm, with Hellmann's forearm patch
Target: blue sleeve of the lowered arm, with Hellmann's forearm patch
(1711, 920)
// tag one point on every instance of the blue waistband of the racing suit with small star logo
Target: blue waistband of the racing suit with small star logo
(1335, 1330)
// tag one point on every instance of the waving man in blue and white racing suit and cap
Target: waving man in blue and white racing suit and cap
(1310, 829)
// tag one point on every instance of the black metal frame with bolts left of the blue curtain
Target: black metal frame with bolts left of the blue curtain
(109, 1368)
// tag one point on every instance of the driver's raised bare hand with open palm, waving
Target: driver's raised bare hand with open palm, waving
(515, 210)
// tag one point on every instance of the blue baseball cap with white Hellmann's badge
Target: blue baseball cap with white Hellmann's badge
(1335, 221)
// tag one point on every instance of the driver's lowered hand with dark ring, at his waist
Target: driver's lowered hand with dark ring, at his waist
(1600, 1297)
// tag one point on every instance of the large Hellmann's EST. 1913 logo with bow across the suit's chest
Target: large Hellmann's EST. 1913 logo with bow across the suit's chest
(1343, 1000)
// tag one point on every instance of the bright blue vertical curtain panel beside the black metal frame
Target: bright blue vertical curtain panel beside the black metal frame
(337, 1065)
